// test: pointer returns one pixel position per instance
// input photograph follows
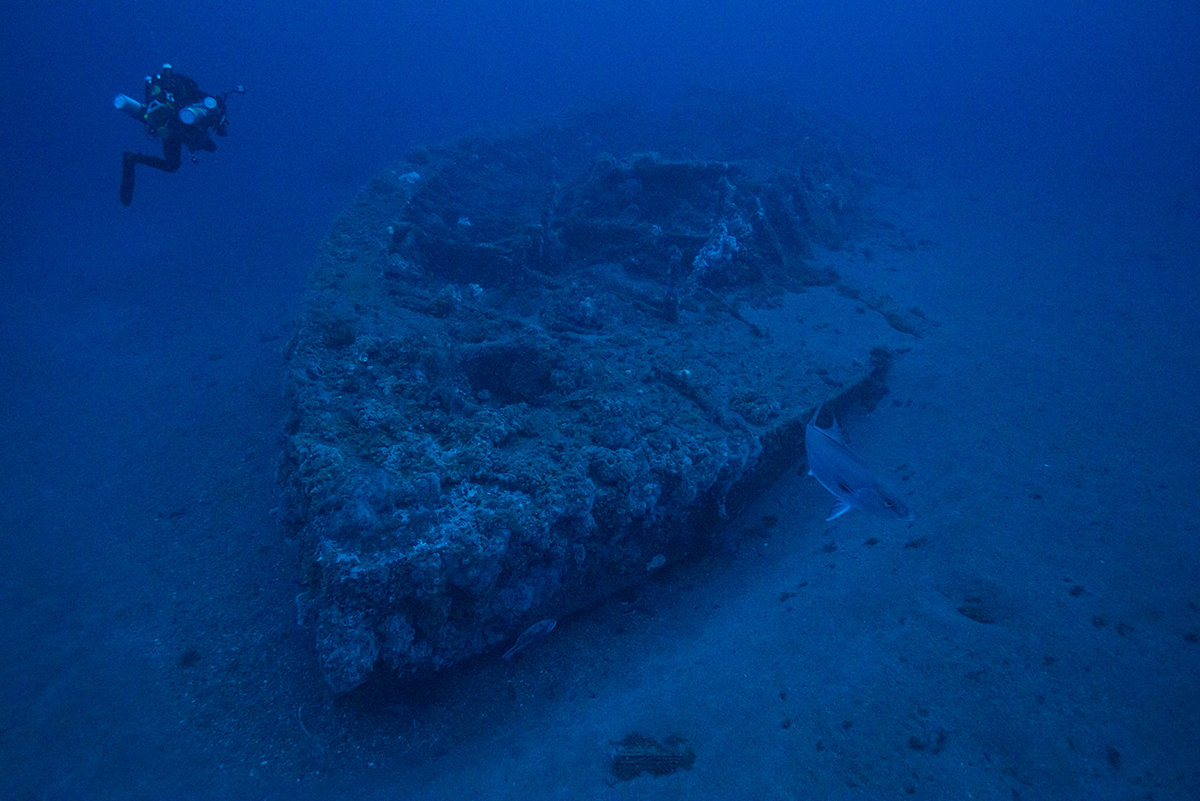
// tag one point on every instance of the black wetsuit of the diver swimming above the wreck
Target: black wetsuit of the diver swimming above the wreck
(166, 95)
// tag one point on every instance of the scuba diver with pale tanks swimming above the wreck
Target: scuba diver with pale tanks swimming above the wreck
(177, 112)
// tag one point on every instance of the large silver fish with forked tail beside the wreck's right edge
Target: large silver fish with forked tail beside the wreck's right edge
(841, 472)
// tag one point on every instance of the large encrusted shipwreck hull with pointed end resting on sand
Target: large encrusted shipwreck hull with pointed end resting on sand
(533, 362)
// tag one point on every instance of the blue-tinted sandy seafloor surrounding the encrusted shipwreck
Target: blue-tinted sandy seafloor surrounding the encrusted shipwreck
(1046, 432)
